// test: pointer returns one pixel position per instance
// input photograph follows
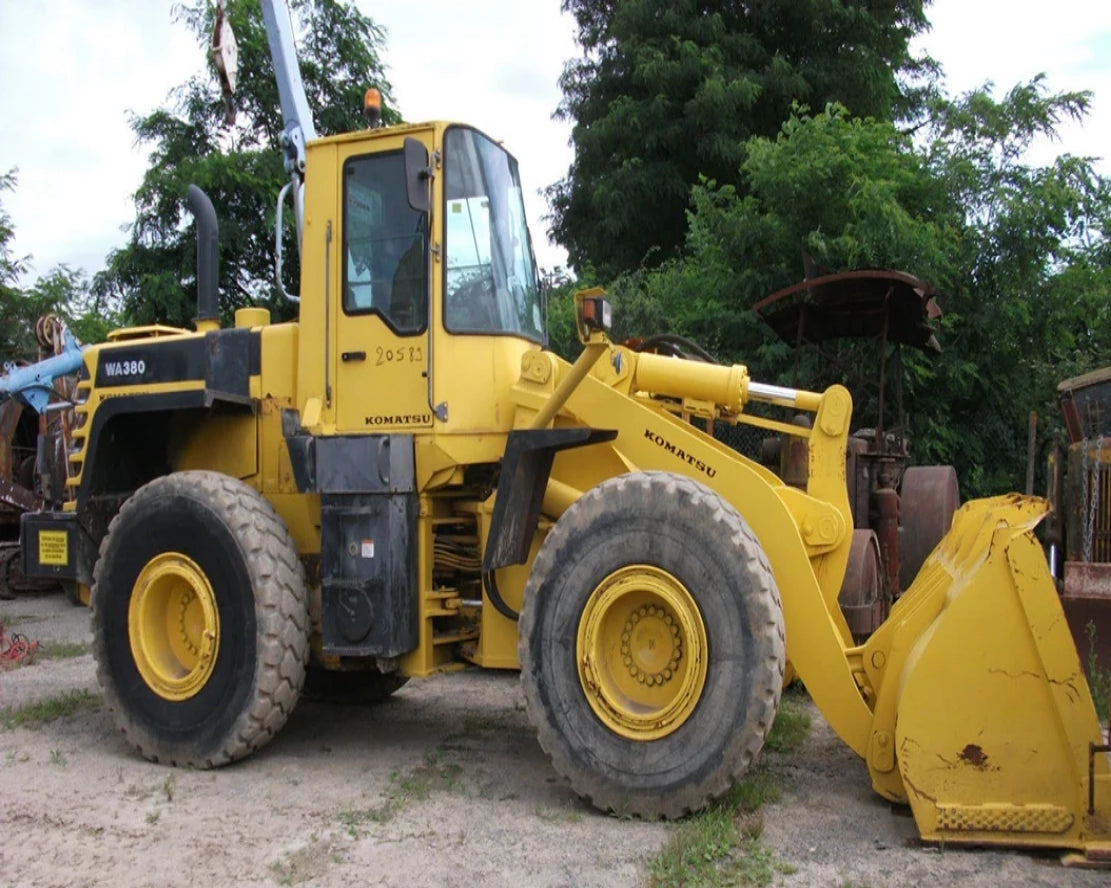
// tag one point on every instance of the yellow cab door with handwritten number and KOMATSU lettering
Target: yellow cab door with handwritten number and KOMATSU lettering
(383, 314)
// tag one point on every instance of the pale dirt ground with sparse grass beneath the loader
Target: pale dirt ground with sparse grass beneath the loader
(444, 785)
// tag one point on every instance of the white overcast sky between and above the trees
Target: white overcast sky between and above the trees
(72, 72)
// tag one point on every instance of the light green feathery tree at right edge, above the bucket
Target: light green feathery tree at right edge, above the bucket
(1029, 303)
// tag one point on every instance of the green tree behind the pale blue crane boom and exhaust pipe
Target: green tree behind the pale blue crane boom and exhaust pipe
(241, 168)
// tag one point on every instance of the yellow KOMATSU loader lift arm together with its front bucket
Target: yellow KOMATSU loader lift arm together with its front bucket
(969, 703)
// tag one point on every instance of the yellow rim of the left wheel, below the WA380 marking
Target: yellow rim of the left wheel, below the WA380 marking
(174, 626)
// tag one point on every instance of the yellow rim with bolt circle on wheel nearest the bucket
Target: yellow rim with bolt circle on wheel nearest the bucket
(642, 652)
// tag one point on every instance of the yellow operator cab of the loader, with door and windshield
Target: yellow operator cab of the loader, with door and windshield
(434, 273)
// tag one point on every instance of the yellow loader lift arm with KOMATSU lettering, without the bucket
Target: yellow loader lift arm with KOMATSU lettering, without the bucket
(807, 536)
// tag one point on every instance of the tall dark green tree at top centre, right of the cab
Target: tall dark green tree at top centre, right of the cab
(670, 91)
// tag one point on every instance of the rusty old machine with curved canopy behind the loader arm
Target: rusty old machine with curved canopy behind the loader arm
(900, 511)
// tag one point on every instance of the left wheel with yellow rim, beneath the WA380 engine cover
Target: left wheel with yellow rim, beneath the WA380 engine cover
(201, 621)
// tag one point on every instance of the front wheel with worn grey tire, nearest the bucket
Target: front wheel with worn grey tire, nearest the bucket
(652, 646)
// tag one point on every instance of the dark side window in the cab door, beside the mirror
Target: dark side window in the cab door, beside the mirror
(385, 245)
